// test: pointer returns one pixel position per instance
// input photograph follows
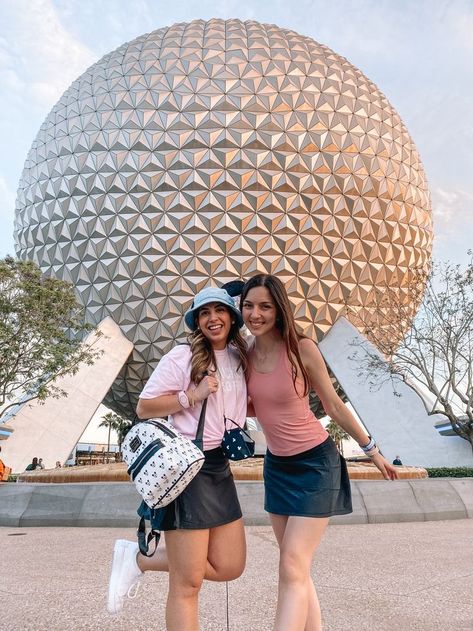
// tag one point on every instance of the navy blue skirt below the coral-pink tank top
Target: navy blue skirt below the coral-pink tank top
(313, 483)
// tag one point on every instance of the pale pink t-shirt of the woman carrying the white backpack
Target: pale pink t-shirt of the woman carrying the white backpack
(172, 375)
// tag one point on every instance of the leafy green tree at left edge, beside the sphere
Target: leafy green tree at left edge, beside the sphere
(41, 331)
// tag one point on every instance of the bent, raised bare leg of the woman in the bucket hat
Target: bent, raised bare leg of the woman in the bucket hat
(226, 554)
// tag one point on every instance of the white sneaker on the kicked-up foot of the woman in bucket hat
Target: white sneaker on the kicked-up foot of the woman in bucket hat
(124, 575)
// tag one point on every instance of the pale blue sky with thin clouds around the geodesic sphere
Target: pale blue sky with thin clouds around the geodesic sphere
(418, 52)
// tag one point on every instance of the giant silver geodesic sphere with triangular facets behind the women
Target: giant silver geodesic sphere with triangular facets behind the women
(209, 151)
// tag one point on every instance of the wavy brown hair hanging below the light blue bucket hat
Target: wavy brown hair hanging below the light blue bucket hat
(203, 356)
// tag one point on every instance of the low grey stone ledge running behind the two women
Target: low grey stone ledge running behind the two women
(115, 503)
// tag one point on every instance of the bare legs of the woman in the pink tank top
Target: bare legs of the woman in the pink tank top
(298, 607)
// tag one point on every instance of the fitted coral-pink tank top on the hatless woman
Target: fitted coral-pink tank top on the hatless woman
(284, 414)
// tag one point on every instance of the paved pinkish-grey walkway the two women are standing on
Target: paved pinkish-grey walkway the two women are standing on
(383, 577)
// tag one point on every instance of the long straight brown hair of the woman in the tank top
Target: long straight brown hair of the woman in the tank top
(284, 322)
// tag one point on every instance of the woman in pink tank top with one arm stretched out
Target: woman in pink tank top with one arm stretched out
(306, 479)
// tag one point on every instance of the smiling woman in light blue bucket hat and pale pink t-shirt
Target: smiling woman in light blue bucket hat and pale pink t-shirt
(203, 527)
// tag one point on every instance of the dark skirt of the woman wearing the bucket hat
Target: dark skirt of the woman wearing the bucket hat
(208, 501)
